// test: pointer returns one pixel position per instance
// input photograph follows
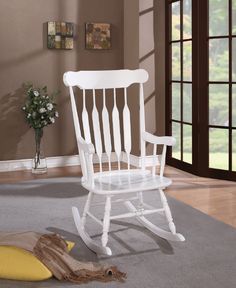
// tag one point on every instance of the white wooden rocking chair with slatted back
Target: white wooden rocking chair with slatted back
(108, 184)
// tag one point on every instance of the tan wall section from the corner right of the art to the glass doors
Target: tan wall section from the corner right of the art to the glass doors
(145, 22)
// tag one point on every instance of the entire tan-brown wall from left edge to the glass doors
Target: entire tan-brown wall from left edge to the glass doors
(138, 40)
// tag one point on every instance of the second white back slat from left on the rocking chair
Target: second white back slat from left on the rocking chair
(97, 131)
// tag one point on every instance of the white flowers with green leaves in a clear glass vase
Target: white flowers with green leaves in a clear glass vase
(40, 111)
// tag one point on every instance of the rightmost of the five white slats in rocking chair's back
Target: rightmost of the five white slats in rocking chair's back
(127, 128)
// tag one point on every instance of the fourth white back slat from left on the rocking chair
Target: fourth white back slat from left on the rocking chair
(116, 129)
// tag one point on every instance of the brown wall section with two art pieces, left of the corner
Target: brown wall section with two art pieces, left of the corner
(24, 57)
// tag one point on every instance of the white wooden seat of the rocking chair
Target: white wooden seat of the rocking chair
(123, 181)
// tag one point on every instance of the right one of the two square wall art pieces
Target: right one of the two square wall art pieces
(97, 36)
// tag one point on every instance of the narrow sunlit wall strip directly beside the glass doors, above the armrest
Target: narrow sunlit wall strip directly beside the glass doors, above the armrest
(152, 58)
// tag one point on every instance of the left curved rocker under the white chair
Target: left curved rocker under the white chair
(89, 242)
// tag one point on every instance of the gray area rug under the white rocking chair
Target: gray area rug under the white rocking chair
(207, 259)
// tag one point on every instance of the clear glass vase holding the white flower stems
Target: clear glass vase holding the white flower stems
(39, 164)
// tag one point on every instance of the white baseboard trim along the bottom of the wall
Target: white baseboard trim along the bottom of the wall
(72, 160)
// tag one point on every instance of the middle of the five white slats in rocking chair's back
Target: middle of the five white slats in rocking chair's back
(106, 130)
